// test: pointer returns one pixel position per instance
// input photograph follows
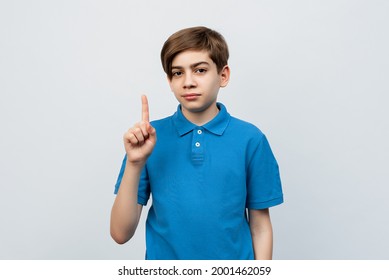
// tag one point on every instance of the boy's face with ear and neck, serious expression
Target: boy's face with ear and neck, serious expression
(196, 82)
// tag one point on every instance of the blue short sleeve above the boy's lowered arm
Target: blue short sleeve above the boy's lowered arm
(264, 188)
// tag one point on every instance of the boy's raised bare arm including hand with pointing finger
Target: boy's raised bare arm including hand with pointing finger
(139, 142)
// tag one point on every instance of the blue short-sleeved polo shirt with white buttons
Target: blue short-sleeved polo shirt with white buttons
(202, 179)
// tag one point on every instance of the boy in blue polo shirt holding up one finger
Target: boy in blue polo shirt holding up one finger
(206, 169)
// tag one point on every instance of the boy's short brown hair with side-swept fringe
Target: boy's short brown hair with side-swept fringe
(195, 38)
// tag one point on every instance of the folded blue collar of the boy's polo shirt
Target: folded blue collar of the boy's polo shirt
(216, 126)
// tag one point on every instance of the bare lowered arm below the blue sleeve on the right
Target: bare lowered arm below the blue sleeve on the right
(261, 233)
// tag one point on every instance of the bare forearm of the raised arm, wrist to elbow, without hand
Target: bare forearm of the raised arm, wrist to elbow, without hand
(126, 210)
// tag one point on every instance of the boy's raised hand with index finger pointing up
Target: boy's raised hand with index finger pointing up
(139, 141)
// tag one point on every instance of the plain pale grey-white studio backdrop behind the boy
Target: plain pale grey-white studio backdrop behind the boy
(312, 75)
